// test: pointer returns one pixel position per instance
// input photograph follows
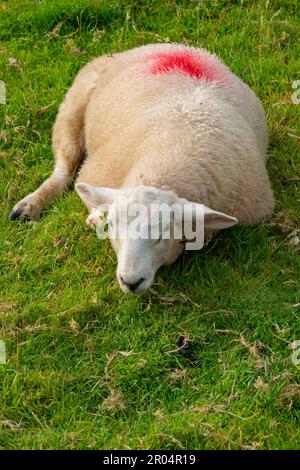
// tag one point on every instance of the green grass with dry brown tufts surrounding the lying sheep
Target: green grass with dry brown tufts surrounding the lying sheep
(66, 324)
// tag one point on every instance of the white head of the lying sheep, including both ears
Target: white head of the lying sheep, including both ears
(148, 228)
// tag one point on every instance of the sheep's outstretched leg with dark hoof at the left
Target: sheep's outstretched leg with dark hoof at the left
(68, 145)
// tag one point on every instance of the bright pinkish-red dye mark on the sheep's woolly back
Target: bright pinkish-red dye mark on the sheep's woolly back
(196, 65)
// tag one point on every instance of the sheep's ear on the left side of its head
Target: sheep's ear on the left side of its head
(93, 196)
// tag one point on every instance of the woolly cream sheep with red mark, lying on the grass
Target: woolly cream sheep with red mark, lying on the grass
(159, 124)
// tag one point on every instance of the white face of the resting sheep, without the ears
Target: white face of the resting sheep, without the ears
(149, 243)
